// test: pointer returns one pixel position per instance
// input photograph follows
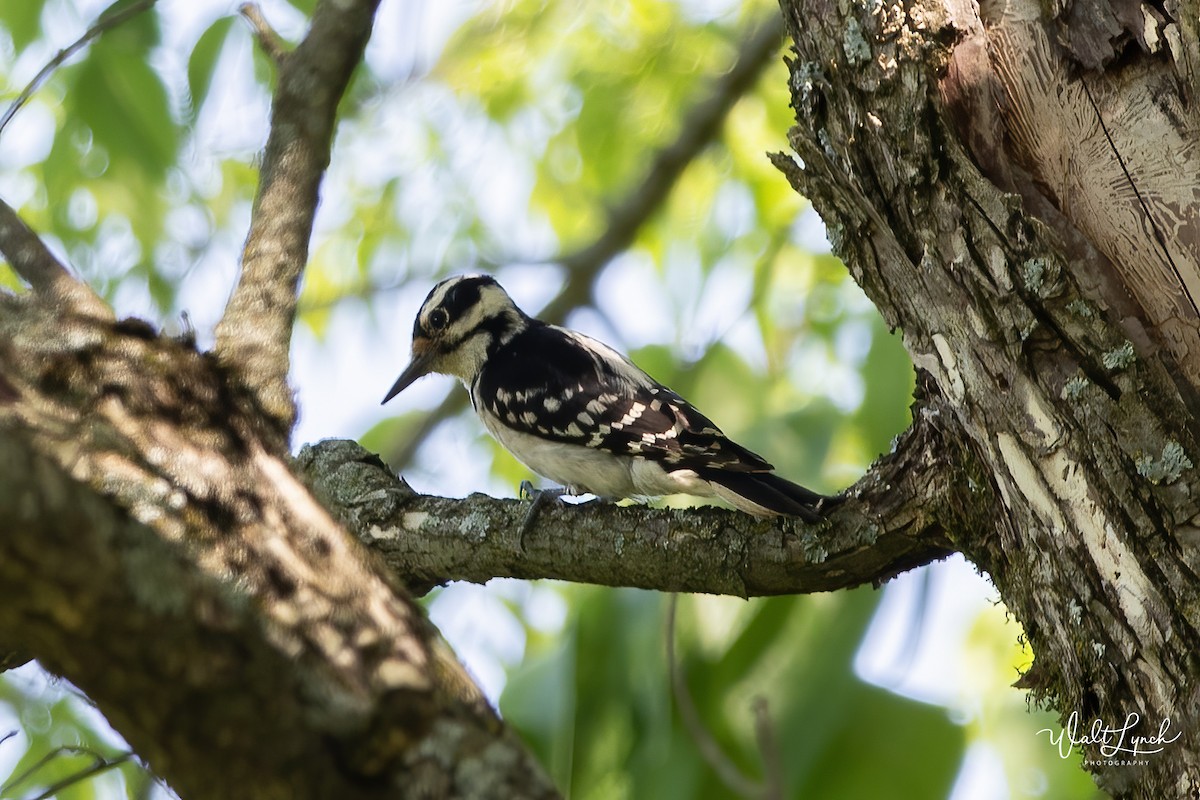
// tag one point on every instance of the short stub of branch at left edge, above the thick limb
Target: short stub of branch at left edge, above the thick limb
(33, 261)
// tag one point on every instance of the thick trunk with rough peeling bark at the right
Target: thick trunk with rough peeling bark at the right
(1021, 195)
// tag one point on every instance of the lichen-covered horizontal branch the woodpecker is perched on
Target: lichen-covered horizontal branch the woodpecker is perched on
(896, 519)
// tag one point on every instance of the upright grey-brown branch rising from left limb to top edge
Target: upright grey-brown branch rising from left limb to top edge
(255, 334)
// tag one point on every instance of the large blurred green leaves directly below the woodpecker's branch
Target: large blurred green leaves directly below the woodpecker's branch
(607, 727)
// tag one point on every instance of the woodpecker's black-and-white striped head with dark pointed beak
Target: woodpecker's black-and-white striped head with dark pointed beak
(460, 324)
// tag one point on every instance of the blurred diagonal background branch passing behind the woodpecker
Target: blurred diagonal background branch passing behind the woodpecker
(700, 127)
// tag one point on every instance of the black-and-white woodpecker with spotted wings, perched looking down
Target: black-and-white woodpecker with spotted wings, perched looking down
(579, 413)
